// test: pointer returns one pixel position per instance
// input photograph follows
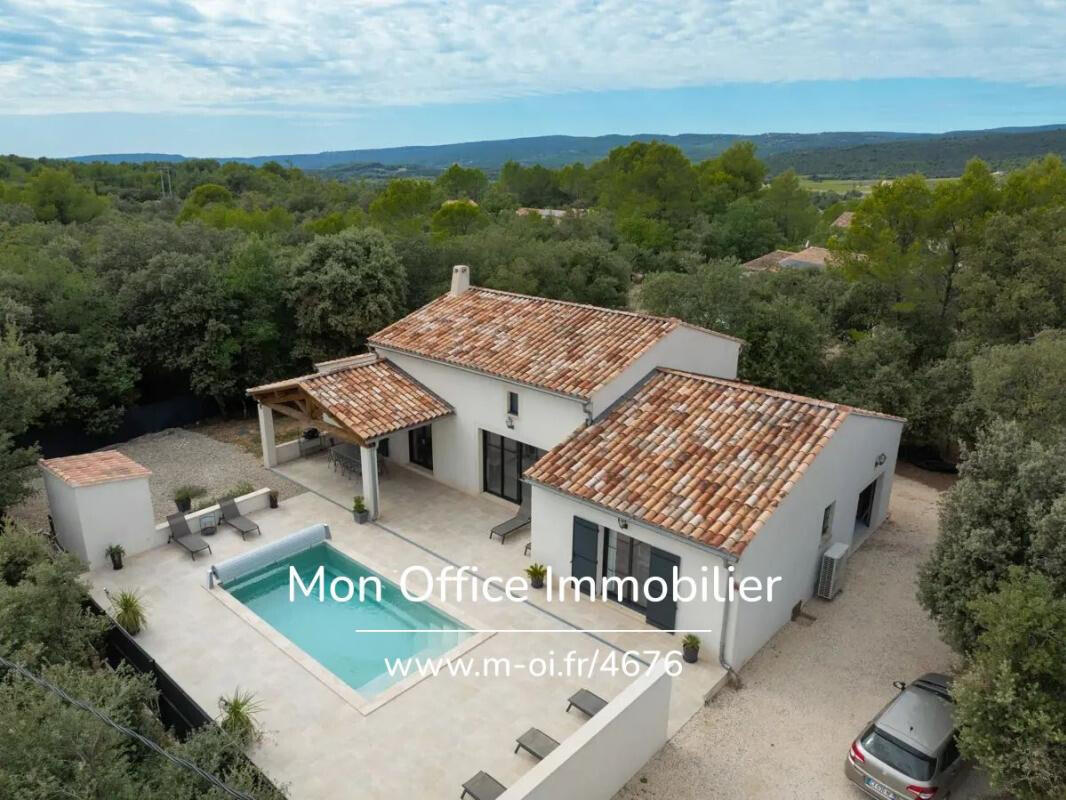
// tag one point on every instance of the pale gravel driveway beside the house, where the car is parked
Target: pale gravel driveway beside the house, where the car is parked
(811, 690)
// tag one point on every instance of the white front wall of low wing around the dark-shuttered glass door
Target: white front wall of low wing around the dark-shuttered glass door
(553, 536)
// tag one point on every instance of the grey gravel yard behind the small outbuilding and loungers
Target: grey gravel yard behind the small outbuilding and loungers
(177, 457)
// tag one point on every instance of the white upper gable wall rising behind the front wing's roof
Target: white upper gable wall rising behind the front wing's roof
(684, 348)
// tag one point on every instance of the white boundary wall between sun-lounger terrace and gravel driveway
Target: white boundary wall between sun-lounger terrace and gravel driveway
(597, 761)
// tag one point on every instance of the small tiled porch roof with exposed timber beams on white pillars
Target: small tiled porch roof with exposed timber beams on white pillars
(367, 397)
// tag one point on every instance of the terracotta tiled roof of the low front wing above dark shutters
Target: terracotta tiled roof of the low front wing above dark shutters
(699, 457)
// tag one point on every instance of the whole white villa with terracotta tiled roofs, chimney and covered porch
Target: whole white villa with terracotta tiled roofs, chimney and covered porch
(628, 437)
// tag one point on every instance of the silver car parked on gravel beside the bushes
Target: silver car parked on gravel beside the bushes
(909, 751)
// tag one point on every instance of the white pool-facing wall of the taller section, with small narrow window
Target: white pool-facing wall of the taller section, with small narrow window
(481, 404)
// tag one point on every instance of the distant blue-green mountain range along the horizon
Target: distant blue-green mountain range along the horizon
(844, 155)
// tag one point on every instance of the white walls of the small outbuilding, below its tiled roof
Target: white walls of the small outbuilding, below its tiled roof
(91, 519)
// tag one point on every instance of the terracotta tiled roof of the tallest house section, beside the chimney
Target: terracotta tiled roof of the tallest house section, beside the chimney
(569, 348)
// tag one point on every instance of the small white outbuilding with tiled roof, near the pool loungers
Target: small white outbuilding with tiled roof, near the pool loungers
(99, 500)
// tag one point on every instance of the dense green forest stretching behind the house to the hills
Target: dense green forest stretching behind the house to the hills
(123, 284)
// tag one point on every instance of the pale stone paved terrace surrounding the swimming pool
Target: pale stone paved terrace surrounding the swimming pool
(437, 734)
